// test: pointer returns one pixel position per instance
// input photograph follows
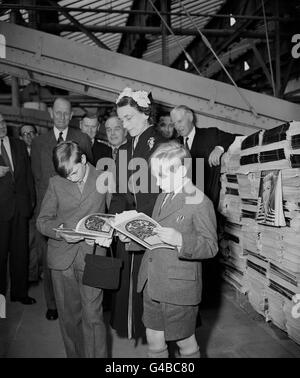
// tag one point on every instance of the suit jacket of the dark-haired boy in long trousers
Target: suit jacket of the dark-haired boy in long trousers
(65, 204)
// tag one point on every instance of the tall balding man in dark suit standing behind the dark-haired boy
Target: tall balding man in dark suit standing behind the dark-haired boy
(43, 169)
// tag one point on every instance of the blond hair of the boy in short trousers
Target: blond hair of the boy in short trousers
(172, 154)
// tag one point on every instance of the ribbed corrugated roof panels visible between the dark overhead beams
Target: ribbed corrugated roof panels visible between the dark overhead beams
(112, 40)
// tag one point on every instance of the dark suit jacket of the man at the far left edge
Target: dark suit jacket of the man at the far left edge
(18, 191)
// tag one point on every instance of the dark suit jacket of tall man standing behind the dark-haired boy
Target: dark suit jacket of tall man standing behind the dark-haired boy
(41, 157)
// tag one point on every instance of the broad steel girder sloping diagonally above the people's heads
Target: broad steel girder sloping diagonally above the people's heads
(103, 74)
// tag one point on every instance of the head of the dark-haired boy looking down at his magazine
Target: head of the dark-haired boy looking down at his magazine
(65, 155)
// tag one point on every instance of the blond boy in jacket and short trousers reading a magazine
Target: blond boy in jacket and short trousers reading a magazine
(171, 278)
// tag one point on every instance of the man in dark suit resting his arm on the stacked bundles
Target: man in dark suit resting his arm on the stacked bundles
(206, 143)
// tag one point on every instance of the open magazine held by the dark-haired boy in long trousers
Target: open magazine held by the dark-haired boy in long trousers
(92, 226)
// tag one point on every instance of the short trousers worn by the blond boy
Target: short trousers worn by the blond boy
(177, 321)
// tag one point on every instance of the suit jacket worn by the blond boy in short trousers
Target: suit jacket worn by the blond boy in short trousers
(176, 277)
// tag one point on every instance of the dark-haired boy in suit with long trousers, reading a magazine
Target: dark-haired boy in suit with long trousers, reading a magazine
(70, 196)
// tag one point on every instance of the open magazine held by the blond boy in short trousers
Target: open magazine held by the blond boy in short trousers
(139, 227)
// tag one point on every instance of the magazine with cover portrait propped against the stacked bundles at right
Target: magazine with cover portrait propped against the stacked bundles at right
(270, 206)
